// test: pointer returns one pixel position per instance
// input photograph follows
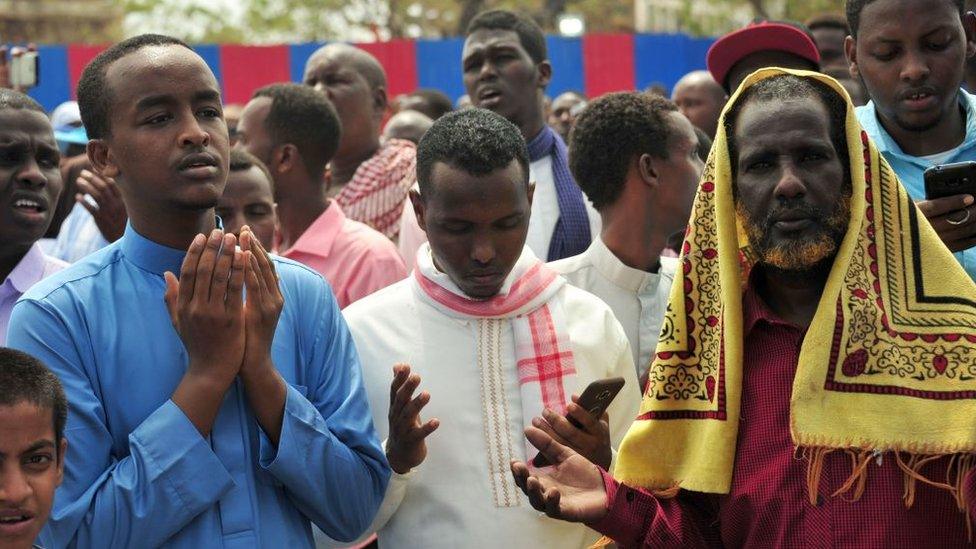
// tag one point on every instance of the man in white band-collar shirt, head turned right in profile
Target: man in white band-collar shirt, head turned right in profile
(636, 158)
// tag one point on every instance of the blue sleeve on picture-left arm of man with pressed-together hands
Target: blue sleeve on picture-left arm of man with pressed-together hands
(168, 475)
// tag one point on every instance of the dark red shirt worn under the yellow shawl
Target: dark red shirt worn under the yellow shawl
(768, 505)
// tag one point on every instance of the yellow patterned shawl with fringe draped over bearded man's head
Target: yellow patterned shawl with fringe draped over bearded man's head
(888, 363)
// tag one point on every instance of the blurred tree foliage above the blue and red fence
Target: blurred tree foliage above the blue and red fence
(267, 21)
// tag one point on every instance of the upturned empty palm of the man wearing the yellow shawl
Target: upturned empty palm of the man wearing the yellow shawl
(571, 490)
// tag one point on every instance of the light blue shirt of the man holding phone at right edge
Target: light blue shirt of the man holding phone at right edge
(909, 168)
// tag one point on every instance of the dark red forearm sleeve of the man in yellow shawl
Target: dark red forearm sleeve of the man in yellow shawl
(636, 518)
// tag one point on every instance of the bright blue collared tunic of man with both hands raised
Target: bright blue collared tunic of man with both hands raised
(139, 474)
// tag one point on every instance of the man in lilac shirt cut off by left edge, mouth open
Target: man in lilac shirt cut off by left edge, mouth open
(30, 183)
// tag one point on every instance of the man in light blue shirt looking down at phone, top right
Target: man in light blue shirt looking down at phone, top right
(911, 58)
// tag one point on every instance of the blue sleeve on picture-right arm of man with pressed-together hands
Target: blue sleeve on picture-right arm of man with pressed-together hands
(328, 456)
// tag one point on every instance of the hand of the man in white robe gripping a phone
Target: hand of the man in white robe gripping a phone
(584, 428)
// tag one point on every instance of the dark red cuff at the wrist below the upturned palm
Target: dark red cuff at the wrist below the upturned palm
(627, 511)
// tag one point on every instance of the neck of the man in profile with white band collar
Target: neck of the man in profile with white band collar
(639, 249)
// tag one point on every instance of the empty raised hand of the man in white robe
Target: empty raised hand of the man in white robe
(406, 447)
